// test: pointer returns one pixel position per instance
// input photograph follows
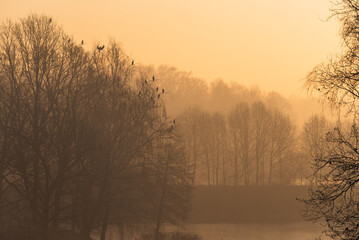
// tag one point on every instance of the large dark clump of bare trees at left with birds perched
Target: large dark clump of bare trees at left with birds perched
(85, 142)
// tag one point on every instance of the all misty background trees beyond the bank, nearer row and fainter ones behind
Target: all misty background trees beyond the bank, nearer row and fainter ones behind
(235, 135)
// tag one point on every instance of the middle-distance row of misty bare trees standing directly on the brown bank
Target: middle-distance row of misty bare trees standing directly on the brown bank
(251, 145)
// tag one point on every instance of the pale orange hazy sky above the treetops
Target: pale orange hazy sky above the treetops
(269, 43)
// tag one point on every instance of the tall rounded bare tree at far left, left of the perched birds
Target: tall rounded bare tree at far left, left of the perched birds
(41, 67)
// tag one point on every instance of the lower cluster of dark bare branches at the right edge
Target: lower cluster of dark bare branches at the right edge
(334, 197)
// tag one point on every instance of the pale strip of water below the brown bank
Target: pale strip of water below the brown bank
(256, 231)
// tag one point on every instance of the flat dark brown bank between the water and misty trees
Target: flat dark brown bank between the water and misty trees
(247, 204)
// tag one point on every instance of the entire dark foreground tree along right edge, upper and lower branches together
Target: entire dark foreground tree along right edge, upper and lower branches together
(335, 197)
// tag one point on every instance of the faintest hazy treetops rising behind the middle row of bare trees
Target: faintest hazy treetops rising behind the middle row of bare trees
(215, 96)
